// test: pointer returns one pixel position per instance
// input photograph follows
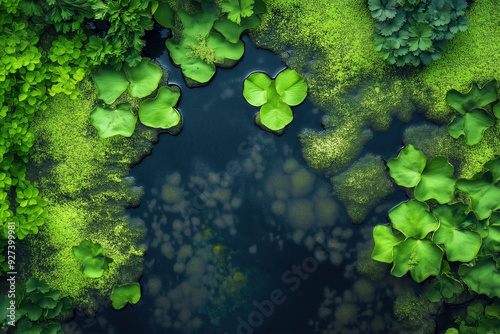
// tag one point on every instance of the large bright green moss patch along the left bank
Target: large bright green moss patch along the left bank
(84, 179)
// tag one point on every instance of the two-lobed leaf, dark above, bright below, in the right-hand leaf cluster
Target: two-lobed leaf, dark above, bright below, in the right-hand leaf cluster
(460, 244)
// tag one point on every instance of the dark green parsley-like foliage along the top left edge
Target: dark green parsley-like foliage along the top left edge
(126, 22)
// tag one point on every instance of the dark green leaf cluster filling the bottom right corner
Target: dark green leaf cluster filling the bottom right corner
(479, 320)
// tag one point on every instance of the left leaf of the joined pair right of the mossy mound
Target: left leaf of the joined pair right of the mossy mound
(407, 168)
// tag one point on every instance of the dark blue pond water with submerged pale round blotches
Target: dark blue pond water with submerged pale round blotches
(242, 237)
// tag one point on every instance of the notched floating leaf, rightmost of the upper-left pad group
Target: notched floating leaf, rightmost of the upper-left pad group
(160, 112)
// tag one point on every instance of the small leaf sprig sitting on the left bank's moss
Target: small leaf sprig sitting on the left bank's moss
(94, 262)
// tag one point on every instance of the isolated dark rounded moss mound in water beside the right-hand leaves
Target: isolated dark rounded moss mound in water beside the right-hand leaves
(362, 186)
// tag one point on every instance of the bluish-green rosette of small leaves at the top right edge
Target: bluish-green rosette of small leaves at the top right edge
(415, 31)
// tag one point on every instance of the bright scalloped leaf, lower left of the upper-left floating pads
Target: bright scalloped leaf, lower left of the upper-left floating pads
(114, 122)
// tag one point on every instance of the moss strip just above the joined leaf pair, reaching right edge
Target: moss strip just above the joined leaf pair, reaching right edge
(468, 160)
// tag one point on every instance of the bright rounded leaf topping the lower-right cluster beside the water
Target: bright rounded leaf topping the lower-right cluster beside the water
(413, 219)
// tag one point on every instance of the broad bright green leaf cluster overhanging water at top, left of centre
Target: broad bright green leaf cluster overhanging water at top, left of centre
(209, 37)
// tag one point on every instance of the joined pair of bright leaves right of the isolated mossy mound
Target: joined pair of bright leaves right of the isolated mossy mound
(435, 180)
